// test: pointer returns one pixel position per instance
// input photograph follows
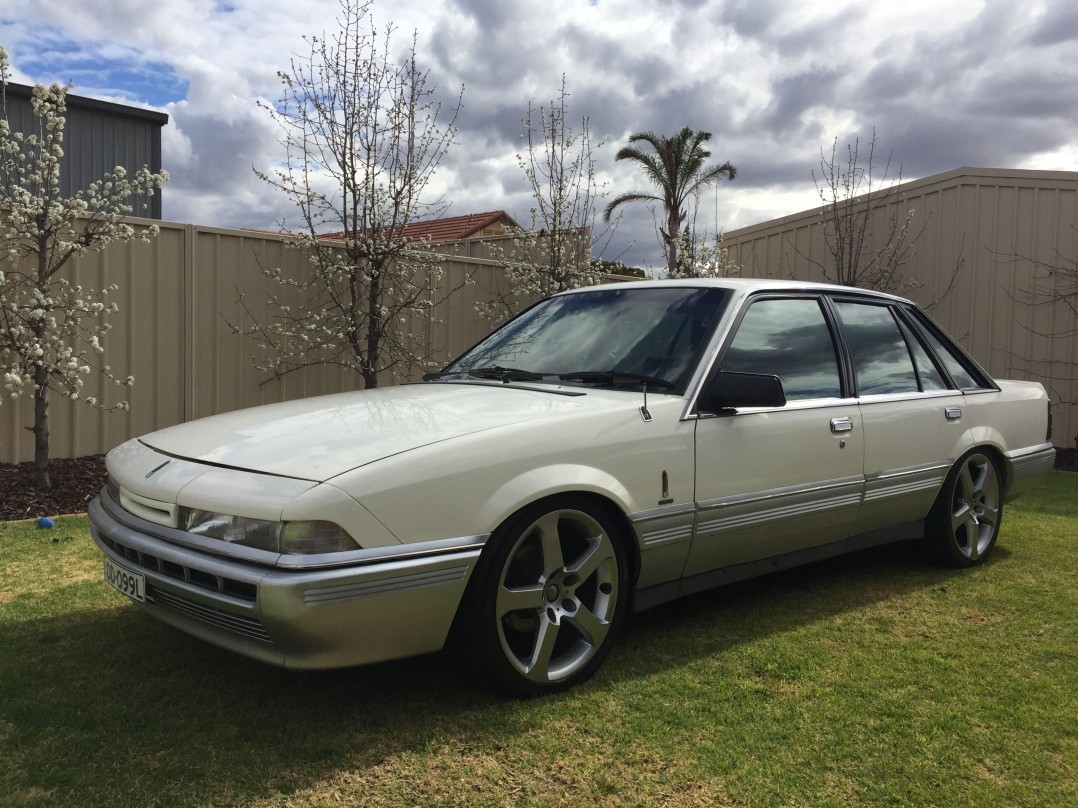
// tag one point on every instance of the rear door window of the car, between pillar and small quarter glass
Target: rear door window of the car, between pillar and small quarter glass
(882, 361)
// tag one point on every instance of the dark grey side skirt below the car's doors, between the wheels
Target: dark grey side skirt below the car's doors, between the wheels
(654, 596)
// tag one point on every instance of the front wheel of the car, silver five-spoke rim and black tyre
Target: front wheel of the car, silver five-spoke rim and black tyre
(550, 594)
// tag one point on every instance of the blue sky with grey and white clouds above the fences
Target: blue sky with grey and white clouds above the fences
(945, 85)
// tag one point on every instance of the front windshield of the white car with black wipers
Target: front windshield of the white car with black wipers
(607, 337)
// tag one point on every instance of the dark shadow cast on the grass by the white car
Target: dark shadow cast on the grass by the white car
(105, 706)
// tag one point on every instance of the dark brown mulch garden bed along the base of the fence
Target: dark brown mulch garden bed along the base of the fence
(77, 481)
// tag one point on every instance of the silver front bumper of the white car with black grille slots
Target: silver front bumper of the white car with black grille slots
(399, 603)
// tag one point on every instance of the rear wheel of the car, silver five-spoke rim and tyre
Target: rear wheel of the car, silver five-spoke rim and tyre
(965, 521)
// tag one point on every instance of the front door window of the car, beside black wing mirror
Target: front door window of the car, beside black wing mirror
(789, 339)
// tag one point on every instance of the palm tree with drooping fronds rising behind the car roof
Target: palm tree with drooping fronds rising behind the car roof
(678, 171)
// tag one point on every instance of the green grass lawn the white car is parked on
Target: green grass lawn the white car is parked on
(870, 680)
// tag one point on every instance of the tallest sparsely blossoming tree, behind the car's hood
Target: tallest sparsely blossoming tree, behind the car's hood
(363, 137)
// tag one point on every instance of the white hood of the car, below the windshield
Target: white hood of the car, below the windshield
(321, 438)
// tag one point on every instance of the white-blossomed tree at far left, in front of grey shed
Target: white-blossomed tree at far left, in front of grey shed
(51, 327)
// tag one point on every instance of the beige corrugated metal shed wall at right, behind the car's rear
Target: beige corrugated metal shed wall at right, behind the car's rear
(979, 220)
